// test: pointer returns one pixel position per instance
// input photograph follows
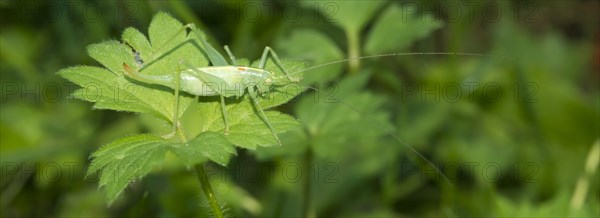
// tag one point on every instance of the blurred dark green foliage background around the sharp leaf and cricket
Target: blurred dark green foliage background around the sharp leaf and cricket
(524, 151)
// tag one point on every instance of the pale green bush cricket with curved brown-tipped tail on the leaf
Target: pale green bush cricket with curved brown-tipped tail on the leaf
(221, 79)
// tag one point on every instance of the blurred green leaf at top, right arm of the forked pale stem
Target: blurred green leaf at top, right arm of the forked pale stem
(395, 30)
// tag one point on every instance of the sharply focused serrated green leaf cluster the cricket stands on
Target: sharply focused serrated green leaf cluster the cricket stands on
(200, 127)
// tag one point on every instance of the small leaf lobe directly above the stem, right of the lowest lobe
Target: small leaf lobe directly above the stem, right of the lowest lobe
(211, 145)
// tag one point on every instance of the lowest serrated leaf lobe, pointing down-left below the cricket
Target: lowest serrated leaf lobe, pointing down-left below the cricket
(125, 160)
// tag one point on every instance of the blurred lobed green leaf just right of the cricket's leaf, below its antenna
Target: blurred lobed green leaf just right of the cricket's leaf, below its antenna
(348, 116)
